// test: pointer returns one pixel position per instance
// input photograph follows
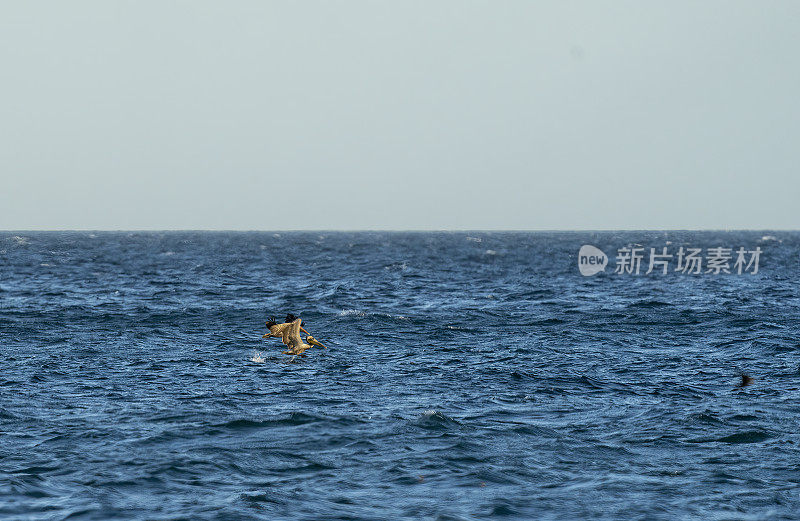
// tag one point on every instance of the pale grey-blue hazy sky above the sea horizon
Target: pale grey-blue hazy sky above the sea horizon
(404, 115)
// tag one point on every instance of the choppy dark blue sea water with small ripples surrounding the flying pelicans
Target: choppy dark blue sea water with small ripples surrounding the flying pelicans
(468, 376)
